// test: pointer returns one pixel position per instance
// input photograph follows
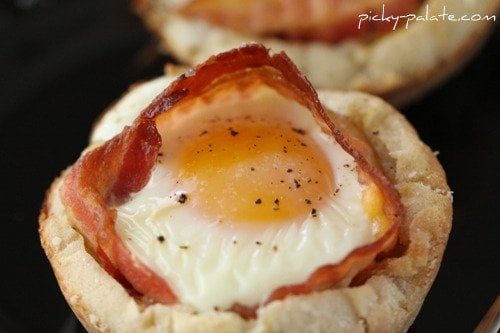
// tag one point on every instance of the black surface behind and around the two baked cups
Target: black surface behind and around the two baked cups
(63, 62)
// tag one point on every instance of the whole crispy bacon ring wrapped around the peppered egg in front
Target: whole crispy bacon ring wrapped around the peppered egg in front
(107, 175)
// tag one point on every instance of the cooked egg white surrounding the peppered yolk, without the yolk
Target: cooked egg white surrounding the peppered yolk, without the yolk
(209, 264)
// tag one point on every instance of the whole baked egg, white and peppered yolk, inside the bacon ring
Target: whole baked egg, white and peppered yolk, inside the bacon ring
(250, 193)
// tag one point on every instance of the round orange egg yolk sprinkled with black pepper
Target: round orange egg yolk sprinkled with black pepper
(256, 172)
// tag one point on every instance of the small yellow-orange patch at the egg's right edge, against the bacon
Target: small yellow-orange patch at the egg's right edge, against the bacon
(373, 204)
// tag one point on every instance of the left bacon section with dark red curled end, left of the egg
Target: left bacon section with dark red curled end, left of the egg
(105, 177)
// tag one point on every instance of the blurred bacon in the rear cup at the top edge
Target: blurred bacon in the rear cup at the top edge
(323, 20)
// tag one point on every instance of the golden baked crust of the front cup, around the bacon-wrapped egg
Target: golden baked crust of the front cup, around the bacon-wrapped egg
(387, 302)
